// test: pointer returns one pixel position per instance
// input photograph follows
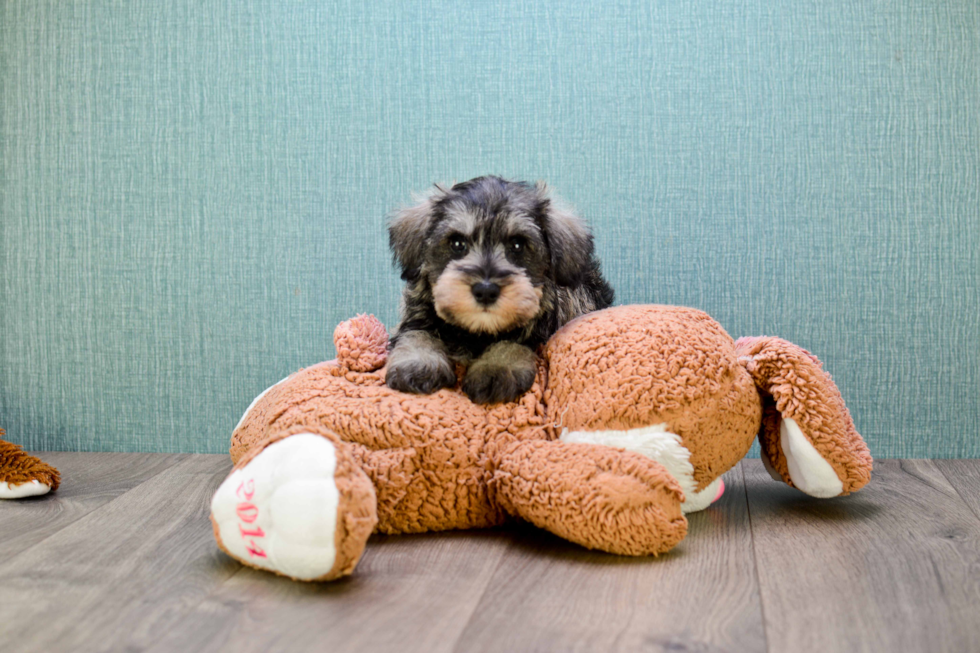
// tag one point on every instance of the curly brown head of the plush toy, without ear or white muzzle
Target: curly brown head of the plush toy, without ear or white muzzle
(679, 368)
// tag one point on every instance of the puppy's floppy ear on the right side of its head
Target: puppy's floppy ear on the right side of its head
(569, 240)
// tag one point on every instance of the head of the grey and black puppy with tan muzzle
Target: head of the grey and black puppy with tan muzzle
(491, 251)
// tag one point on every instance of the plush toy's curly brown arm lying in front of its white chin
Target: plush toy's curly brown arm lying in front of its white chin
(602, 498)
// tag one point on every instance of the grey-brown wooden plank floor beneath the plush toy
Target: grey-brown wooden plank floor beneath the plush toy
(122, 559)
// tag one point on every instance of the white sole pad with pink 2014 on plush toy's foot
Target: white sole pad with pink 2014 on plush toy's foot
(279, 512)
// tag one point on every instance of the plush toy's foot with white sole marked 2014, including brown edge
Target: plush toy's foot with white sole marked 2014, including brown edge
(298, 505)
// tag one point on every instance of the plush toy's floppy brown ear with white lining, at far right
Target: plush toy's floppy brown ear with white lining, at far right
(807, 438)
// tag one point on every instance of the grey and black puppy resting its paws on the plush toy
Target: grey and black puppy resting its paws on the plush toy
(492, 269)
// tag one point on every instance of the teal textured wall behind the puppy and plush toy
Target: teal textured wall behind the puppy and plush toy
(192, 193)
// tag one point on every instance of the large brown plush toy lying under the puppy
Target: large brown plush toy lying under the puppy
(635, 414)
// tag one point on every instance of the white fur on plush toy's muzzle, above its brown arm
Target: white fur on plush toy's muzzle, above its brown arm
(657, 443)
